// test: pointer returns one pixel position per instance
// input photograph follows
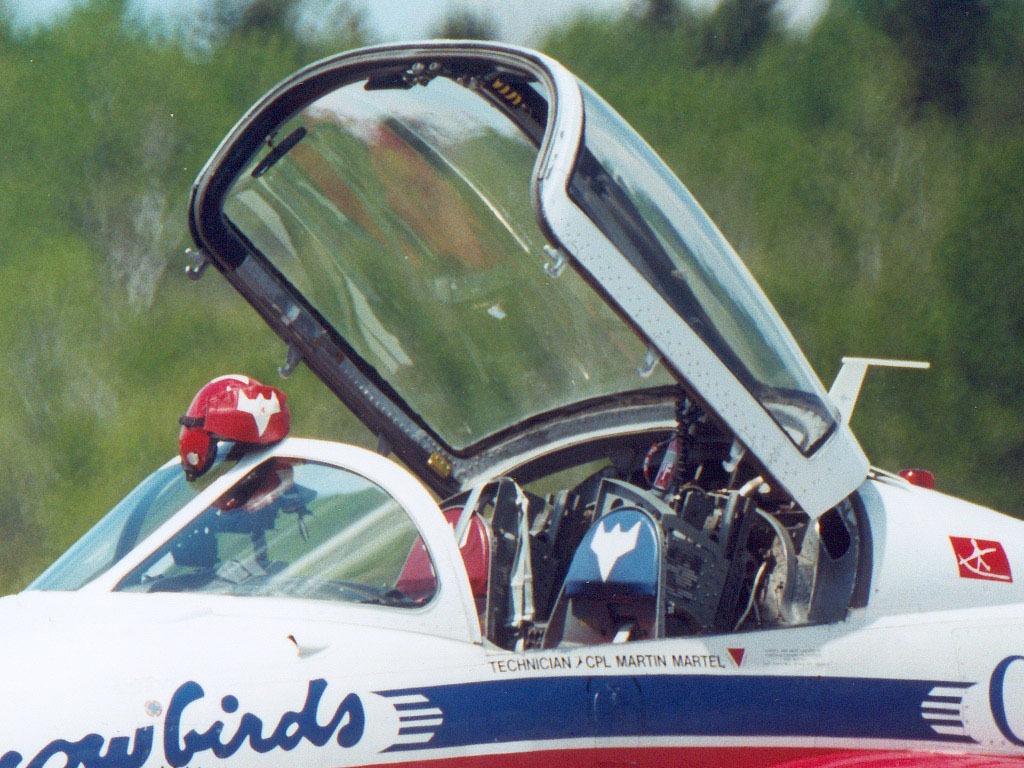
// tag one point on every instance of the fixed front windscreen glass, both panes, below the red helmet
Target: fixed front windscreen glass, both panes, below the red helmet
(288, 528)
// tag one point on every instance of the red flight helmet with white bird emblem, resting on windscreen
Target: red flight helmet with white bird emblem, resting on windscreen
(231, 408)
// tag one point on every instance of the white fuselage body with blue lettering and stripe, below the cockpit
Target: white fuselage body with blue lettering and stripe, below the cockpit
(933, 664)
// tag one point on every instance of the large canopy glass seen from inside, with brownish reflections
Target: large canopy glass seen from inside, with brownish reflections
(405, 219)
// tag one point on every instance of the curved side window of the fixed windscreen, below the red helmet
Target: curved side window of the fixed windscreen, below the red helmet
(292, 529)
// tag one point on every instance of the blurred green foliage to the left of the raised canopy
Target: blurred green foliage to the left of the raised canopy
(106, 124)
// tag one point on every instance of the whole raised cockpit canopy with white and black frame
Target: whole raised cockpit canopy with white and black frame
(486, 263)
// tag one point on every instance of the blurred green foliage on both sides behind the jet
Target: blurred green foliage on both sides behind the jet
(880, 224)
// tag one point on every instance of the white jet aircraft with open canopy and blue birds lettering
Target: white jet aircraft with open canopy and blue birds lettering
(614, 518)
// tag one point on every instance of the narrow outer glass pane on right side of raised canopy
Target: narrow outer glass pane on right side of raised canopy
(644, 209)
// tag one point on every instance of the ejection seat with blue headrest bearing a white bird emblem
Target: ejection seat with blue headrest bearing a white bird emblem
(613, 586)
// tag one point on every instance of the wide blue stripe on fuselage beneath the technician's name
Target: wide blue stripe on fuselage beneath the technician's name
(559, 708)
